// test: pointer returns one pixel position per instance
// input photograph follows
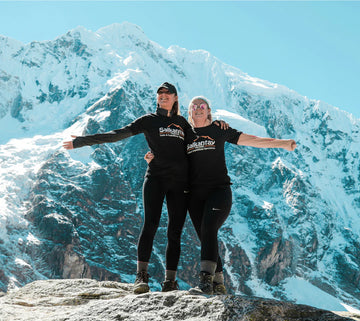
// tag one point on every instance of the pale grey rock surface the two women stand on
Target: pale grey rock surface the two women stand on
(86, 299)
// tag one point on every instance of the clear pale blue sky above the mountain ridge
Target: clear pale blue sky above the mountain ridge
(310, 47)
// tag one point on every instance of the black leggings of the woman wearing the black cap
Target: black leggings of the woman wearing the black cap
(154, 191)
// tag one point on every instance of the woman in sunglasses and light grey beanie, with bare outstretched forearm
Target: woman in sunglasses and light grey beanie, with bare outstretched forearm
(210, 194)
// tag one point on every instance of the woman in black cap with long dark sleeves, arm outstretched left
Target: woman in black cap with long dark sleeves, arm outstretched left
(166, 177)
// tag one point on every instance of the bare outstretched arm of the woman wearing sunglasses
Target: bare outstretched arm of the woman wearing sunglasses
(264, 142)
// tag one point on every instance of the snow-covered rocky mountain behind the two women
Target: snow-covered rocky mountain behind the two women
(293, 232)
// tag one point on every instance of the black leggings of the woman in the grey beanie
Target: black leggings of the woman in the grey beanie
(208, 209)
